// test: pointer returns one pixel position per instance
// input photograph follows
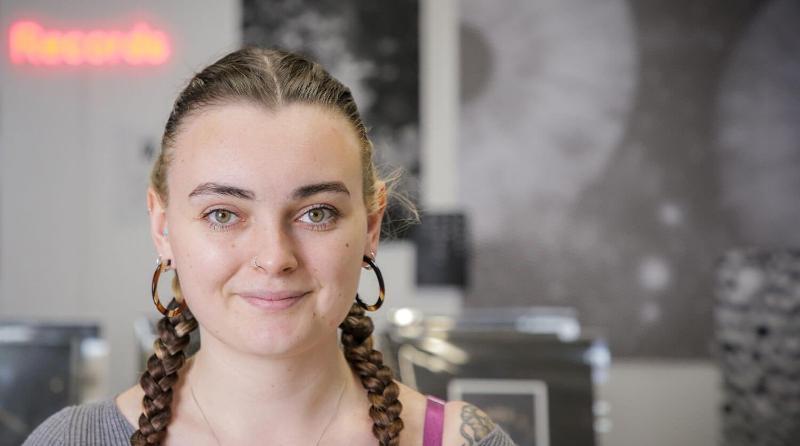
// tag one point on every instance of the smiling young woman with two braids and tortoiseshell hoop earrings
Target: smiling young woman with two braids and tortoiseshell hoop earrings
(265, 202)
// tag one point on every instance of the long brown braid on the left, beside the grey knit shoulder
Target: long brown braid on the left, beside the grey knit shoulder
(161, 375)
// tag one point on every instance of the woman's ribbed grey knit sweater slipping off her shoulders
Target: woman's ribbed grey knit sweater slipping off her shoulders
(102, 424)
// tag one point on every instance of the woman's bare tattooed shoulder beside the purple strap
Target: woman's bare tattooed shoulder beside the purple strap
(465, 423)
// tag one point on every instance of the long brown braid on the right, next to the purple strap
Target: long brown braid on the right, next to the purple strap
(375, 376)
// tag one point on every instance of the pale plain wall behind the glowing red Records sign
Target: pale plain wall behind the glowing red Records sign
(73, 220)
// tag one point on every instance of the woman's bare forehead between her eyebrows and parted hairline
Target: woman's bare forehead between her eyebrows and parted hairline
(267, 151)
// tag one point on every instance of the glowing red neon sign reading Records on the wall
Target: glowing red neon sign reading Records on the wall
(30, 43)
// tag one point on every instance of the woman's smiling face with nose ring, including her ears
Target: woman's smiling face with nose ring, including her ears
(280, 189)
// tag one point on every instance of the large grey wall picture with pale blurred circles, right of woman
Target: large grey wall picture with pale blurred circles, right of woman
(628, 144)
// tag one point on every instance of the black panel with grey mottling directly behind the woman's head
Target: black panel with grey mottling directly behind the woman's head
(372, 47)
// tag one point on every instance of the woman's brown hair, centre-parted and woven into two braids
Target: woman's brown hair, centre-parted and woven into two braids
(270, 78)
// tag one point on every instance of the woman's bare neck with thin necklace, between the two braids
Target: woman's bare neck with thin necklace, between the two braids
(242, 393)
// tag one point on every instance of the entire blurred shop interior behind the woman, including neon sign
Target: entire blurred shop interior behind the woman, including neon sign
(609, 195)
